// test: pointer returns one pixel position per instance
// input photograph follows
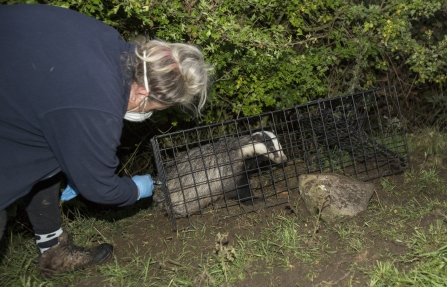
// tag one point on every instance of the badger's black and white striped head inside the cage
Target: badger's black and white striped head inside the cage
(264, 143)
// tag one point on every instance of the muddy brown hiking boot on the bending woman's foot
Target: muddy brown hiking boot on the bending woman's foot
(67, 257)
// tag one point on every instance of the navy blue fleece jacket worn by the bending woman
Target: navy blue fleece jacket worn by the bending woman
(63, 95)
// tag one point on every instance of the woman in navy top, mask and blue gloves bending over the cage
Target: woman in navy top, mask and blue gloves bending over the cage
(66, 83)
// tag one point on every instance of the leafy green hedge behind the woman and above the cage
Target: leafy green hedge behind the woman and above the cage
(271, 54)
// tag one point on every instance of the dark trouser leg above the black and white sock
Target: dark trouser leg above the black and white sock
(42, 206)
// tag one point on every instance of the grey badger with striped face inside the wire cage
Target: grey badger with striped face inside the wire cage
(218, 170)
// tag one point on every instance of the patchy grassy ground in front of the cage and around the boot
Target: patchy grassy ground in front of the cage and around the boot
(401, 240)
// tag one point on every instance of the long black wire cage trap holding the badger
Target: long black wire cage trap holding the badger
(243, 165)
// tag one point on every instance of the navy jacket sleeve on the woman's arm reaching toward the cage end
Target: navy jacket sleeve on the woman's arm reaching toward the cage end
(84, 142)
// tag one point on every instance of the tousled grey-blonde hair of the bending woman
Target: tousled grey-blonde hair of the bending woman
(176, 73)
